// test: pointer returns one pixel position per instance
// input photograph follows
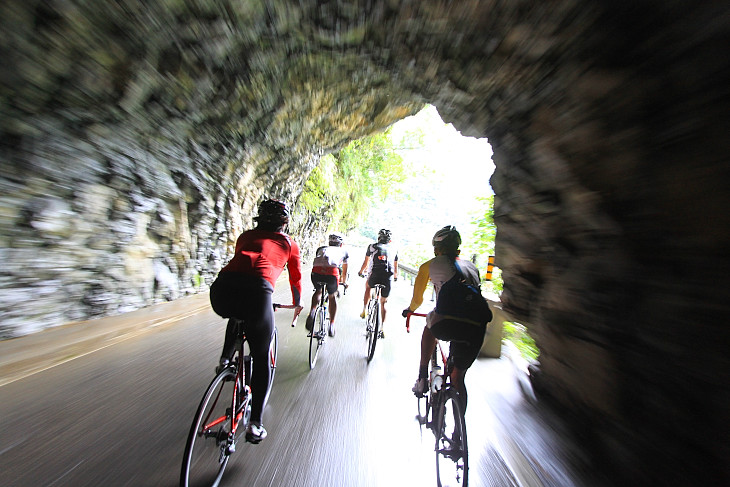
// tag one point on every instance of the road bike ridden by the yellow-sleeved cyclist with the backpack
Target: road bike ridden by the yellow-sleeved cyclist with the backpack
(441, 410)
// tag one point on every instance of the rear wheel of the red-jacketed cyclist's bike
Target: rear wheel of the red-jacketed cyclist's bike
(208, 447)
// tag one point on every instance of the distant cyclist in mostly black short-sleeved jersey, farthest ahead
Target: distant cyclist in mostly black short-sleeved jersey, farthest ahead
(381, 262)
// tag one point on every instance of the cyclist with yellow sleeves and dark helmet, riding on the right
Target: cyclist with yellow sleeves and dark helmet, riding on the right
(465, 336)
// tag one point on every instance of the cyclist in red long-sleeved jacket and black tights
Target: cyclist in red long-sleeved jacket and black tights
(243, 291)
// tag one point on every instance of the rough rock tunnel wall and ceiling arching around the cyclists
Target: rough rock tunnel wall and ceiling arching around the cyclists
(136, 142)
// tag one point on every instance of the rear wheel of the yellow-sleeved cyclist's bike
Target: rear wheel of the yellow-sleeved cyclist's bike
(452, 453)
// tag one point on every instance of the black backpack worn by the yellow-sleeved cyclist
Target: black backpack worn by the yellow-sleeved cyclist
(461, 300)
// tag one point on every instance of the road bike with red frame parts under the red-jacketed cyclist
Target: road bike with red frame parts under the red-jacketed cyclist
(223, 414)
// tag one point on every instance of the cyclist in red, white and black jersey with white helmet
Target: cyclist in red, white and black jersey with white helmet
(329, 268)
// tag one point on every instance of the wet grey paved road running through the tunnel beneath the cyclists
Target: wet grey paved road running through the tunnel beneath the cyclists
(120, 416)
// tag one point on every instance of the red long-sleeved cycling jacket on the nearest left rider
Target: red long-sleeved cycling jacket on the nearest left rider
(263, 253)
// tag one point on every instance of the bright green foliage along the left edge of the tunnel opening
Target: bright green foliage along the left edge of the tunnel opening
(344, 185)
